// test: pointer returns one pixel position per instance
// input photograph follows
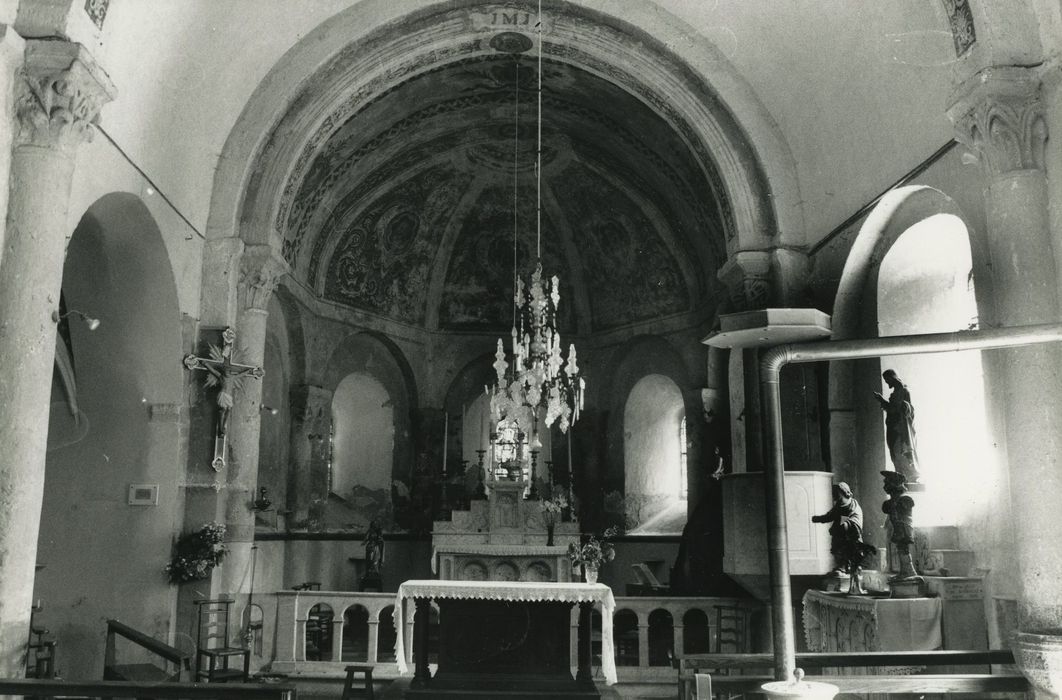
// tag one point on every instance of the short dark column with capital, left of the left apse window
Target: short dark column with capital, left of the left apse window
(311, 419)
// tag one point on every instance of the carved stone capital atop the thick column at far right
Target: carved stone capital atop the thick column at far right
(1000, 115)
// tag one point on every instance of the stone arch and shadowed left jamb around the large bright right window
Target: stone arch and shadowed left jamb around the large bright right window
(857, 315)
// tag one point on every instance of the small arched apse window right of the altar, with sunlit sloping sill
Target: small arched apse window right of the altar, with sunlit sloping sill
(655, 448)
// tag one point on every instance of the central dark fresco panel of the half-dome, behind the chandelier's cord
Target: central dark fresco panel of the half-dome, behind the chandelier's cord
(478, 292)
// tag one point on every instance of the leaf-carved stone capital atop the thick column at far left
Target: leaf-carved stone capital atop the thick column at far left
(60, 93)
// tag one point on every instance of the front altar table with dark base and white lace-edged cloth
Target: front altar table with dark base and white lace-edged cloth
(520, 645)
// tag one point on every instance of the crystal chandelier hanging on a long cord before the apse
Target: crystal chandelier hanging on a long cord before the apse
(536, 378)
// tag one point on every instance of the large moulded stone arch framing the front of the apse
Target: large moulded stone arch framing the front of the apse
(691, 83)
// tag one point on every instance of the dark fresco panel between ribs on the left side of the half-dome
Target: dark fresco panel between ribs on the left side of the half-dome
(384, 263)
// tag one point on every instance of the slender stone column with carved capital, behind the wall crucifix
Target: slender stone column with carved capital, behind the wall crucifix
(261, 270)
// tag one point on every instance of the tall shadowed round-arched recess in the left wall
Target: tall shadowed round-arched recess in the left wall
(132, 417)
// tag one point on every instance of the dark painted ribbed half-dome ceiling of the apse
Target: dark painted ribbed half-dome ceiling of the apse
(408, 211)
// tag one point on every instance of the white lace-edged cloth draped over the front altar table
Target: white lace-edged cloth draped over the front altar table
(516, 592)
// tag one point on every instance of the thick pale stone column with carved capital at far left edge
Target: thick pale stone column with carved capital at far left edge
(59, 96)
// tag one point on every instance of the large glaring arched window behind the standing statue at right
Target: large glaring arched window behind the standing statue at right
(926, 285)
